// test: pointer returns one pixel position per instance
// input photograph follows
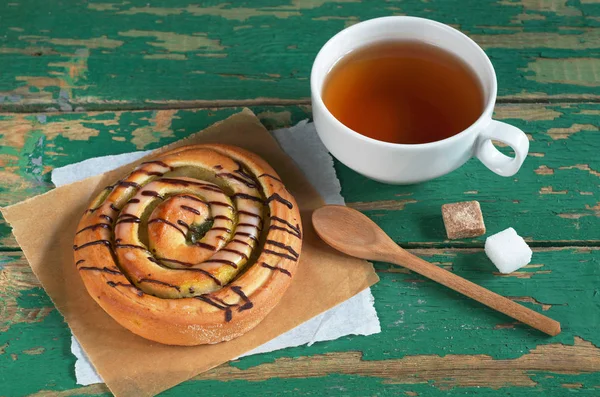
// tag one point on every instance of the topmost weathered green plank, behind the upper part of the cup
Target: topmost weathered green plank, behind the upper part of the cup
(180, 54)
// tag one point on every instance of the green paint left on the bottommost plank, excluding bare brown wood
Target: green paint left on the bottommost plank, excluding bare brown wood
(418, 318)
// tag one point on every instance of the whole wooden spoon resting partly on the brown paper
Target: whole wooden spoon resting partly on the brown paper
(351, 232)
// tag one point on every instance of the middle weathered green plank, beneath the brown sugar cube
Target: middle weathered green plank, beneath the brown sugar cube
(552, 200)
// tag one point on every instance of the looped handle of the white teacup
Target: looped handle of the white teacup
(492, 158)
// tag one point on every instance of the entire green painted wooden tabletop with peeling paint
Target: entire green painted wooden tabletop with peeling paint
(81, 79)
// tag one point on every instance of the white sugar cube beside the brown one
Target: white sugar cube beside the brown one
(507, 250)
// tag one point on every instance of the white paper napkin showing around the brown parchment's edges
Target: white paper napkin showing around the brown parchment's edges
(356, 316)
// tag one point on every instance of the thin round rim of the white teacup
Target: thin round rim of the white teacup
(485, 114)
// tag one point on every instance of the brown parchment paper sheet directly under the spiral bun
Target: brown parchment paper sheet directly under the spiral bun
(130, 365)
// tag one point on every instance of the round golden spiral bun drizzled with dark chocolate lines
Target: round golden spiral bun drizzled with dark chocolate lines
(193, 247)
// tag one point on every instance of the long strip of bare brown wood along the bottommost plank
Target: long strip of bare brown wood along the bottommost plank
(444, 372)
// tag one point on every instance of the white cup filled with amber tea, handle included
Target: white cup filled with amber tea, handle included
(404, 100)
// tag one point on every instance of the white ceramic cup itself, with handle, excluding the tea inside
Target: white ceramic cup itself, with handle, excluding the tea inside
(412, 163)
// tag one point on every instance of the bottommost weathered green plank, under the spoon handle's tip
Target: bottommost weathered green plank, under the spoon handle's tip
(434, 342)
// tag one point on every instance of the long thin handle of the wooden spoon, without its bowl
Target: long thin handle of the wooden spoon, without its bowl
(480, 294)
